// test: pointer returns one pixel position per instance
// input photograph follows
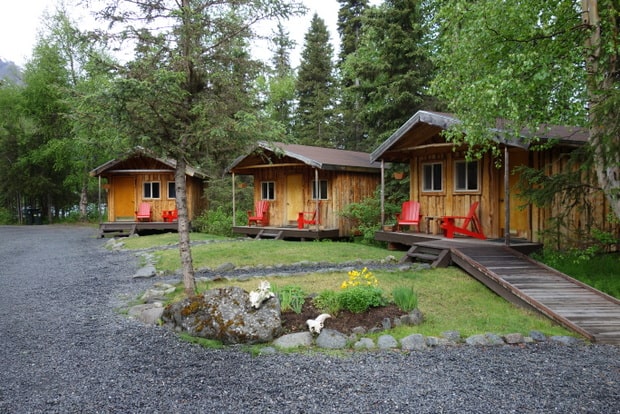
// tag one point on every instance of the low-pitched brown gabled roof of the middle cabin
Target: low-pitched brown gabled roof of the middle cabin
(278, 154)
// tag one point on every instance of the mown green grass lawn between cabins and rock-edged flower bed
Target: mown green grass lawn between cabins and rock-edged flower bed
(449, 298)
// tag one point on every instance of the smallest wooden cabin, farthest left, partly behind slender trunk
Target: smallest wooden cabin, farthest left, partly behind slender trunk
(143, 178)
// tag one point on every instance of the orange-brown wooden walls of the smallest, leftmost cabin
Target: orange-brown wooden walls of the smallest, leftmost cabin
(125, 193)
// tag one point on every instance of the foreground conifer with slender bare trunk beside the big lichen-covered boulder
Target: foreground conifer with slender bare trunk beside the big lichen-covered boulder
(186, 95)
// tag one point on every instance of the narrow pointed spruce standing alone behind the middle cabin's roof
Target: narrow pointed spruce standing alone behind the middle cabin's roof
(314, 124)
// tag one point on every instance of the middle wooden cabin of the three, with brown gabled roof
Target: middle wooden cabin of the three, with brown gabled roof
(299, 178)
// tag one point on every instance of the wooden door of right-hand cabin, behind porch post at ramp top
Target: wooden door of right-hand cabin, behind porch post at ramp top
(519, 222)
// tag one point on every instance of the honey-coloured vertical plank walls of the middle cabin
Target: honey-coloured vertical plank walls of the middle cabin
(343, 188)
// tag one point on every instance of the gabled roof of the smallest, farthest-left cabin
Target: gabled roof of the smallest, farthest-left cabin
(141, 160)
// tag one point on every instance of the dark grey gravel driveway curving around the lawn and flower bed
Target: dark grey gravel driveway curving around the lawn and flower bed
(64, 349)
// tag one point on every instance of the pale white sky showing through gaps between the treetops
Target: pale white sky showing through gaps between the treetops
(20, 22)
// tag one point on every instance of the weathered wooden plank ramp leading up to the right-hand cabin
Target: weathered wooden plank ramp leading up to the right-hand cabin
(525, 282)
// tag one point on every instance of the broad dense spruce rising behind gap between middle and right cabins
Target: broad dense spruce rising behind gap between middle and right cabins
(393, 67)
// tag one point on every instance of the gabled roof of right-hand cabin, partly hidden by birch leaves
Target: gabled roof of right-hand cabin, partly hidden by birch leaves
(425, 127)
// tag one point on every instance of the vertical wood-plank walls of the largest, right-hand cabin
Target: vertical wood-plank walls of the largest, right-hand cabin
(526, 220)
